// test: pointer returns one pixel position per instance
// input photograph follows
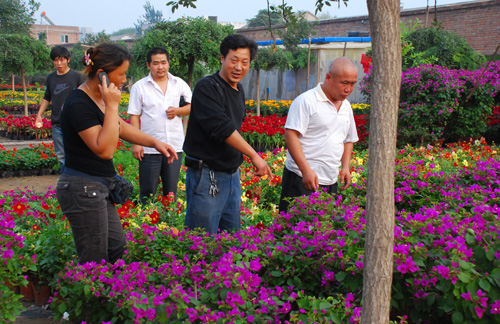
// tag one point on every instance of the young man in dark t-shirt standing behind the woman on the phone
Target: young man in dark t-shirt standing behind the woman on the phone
(59, 85)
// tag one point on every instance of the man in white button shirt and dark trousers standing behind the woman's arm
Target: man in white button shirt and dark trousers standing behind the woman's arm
(156, 108)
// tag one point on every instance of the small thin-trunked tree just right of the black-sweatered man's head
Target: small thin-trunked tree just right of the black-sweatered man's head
(268, 59)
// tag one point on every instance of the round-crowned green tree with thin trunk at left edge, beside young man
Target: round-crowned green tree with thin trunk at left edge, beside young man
(21, 53)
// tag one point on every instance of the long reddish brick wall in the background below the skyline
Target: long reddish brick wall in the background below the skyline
(478, 22)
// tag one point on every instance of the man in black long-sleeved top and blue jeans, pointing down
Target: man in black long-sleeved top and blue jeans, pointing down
(214, 147)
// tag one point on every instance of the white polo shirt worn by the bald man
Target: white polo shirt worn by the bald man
(323, 133)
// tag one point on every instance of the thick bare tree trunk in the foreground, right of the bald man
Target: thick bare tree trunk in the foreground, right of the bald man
(386, 82)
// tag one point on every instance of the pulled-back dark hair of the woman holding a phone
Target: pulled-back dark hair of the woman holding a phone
(105, 56)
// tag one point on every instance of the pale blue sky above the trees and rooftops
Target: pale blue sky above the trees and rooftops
(113, 15)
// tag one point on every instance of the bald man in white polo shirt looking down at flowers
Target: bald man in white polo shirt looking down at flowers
(320, 133)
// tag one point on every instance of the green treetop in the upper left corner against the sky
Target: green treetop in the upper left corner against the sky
(16, 16)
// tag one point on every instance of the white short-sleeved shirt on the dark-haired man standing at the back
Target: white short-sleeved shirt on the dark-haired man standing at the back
(149, 102)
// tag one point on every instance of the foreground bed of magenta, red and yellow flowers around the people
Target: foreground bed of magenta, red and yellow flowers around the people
(304, 266)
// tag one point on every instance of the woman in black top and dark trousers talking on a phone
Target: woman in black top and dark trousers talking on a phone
(91, 128)
